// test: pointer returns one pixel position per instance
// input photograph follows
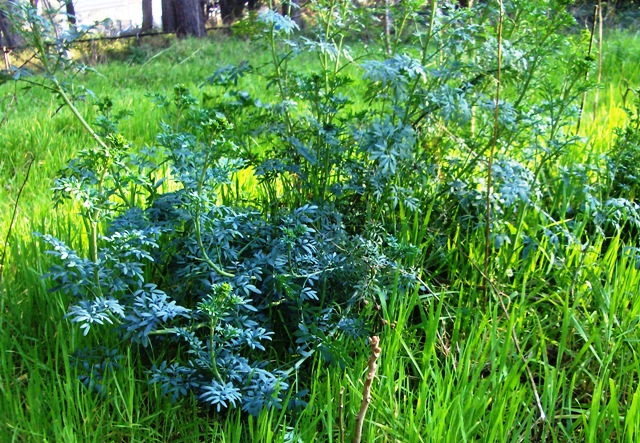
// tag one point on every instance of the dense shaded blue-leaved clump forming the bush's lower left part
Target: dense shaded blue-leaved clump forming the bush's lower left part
(212, 284)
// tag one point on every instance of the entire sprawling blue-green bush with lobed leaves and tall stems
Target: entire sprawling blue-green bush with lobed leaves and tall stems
(235, 290)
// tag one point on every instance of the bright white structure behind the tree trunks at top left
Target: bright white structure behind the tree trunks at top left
(124, 14)
